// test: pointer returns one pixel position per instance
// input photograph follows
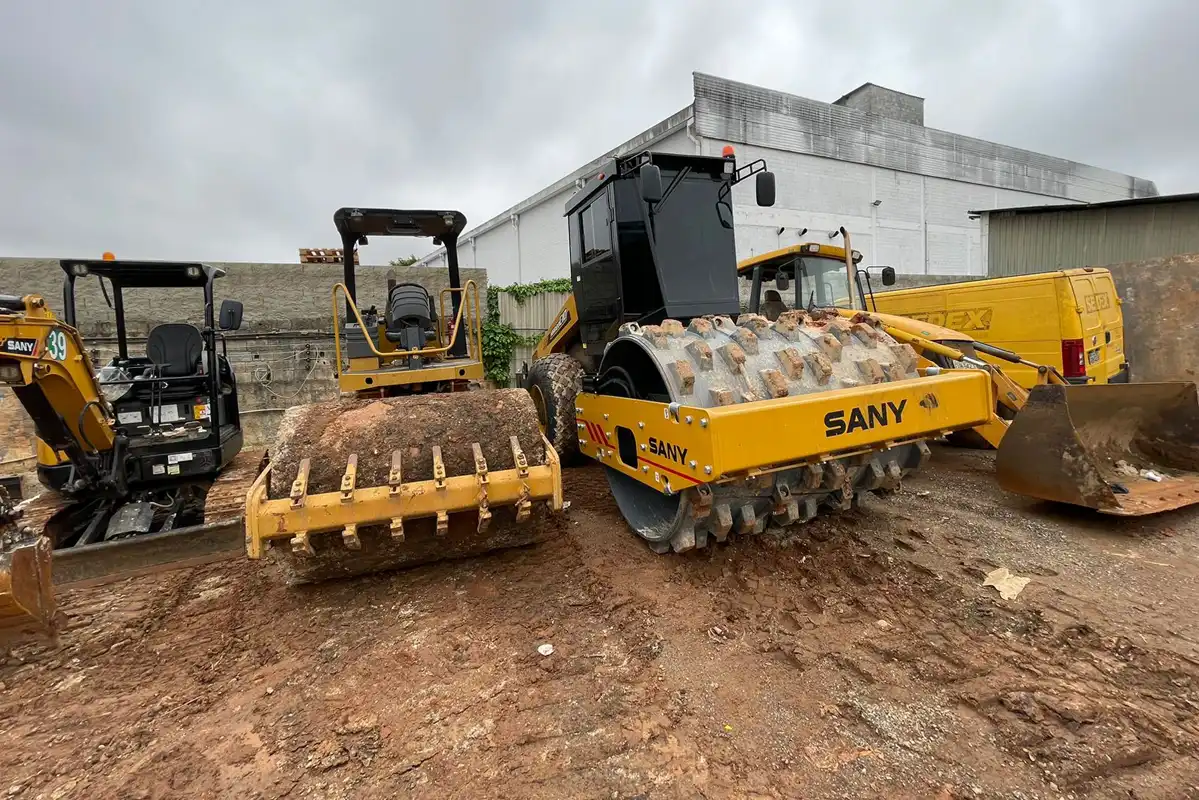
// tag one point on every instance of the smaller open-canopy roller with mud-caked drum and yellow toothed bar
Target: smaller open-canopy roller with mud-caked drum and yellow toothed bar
(417, 462)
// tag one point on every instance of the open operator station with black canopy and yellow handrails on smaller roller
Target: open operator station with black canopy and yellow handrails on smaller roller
(420, 341)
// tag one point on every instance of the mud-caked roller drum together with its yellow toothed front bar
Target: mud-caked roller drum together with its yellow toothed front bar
(372, 485)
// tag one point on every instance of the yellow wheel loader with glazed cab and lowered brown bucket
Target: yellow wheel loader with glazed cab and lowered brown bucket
(1120, 449)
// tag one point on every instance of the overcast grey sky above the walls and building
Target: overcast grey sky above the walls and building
(232, 131)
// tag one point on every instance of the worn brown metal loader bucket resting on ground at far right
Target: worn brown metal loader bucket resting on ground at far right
(1102, 447)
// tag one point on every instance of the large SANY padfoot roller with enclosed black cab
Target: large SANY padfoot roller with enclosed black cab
(710, 422)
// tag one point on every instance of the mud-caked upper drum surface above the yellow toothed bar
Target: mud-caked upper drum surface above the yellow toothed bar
(329, 434)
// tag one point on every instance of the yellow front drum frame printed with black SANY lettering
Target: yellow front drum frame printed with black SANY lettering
(672, 448)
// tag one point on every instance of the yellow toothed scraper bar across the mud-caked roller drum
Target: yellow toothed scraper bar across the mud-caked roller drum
(346, 510)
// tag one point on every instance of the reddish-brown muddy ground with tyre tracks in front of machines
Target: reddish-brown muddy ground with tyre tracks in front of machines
(863, 659)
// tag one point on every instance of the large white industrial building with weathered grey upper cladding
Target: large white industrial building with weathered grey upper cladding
(866, 163)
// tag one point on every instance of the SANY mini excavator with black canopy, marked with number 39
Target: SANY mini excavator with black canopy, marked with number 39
(142, 464)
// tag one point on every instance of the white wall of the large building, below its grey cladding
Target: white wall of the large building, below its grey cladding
(920, 226)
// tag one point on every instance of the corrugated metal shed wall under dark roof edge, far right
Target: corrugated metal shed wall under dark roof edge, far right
(1022, 243)
